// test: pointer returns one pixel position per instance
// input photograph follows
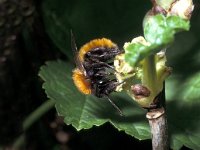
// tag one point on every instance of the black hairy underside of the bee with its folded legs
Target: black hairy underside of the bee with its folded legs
(100, 70)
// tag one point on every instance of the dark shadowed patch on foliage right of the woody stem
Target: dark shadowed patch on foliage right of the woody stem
(183, 118)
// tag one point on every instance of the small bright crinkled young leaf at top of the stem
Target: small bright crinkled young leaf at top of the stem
(160, 30)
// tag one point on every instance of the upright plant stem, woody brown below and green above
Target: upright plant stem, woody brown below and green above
(155, 115)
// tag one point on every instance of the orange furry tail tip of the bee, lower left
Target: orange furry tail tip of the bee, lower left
(81, 82)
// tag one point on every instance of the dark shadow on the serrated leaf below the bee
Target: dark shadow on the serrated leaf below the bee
(131, 112)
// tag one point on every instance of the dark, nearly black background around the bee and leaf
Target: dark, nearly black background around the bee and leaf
(32, 32)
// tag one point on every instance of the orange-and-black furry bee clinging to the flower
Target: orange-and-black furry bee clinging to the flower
(94, 72)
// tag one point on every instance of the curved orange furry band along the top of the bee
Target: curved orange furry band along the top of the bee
(93, 44)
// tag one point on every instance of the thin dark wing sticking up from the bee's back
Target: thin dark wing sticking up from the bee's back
(75, 51)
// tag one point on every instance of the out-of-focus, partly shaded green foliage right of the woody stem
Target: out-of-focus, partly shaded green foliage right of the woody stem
(183, 90)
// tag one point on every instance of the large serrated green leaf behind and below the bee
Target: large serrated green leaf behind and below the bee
(83, 111)
